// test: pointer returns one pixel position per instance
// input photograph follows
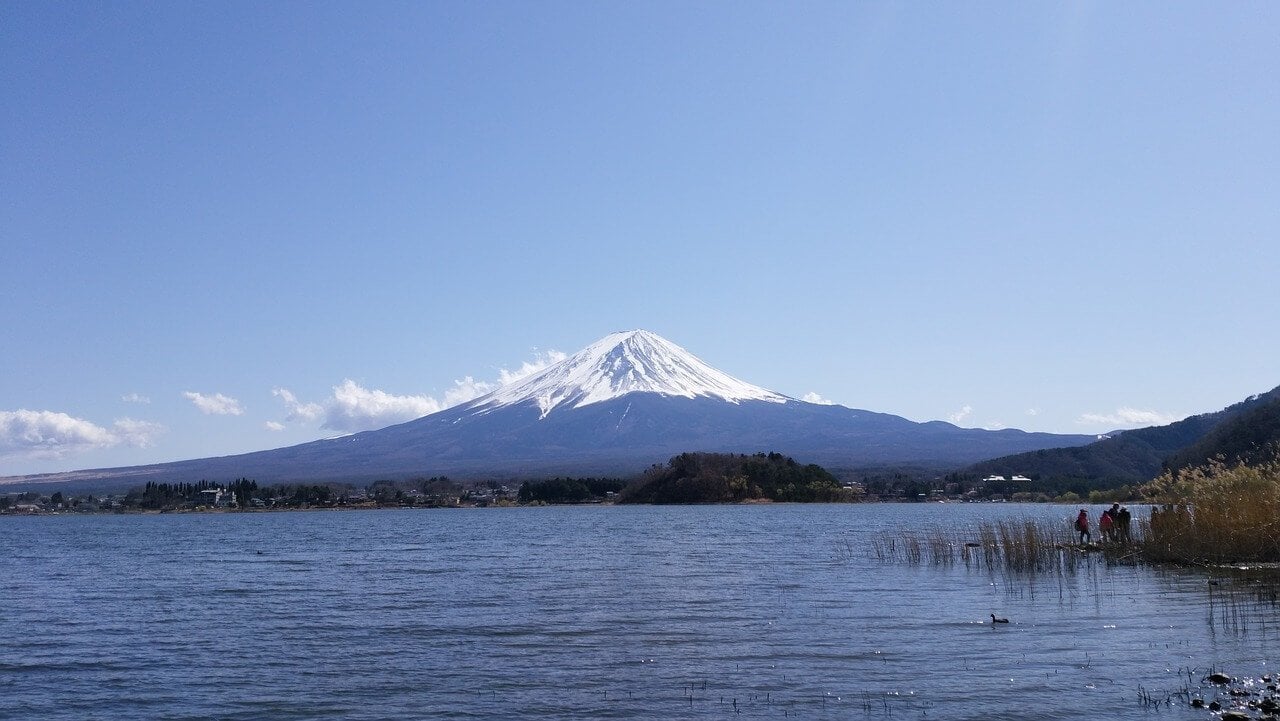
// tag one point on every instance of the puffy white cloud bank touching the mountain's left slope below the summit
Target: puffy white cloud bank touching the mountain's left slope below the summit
(355, 408)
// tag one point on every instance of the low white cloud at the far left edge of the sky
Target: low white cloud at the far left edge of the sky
(52, 435)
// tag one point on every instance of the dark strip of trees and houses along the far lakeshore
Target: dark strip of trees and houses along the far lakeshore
(688, 478)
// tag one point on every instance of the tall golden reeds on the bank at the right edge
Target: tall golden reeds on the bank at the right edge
(1217, 514)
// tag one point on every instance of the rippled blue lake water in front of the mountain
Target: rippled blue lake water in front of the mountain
(583, 613)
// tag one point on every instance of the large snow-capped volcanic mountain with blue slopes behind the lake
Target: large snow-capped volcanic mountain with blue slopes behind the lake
(620, 405)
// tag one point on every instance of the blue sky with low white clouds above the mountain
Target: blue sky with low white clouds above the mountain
(240, 226)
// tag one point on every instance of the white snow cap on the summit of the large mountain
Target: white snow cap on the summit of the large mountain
(619, 364)
